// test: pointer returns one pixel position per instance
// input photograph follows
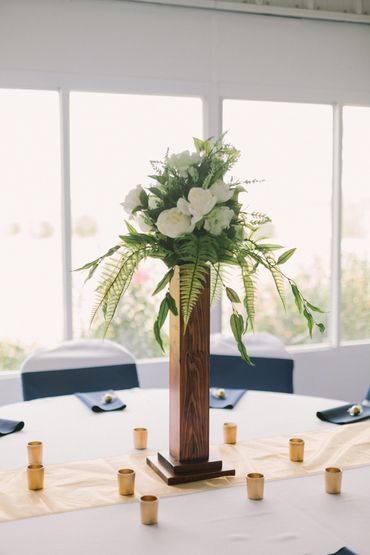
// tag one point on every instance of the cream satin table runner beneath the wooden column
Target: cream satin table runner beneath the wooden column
(85, 484)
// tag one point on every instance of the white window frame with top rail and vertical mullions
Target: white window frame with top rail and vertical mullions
(212, 94)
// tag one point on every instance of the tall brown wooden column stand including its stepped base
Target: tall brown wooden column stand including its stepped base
(188, 459)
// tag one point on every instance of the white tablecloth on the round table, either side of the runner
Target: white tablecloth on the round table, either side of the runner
(295, 518)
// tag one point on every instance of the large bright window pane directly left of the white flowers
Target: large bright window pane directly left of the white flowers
(113, 137)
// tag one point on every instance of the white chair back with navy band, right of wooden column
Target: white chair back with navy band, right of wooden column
(272, 370)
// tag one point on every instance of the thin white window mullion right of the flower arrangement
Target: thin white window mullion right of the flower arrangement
(335, 300)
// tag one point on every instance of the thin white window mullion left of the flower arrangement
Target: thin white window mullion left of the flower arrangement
(66, 215)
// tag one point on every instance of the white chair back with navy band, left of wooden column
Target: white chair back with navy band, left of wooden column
(78, 366)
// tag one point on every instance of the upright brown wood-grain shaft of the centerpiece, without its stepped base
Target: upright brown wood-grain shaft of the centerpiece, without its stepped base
(189, 378)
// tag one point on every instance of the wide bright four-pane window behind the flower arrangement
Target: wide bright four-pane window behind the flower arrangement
(112, 136)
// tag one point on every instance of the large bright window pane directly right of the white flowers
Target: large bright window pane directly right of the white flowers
(289, 146)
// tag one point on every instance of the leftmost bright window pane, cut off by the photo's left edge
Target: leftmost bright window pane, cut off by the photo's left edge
(30, 243)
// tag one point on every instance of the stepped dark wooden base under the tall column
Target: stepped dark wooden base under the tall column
(174, 472)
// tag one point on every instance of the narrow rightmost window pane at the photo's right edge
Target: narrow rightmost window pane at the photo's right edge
(356, 224)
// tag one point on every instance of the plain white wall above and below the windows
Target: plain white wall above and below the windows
(112, 45)
